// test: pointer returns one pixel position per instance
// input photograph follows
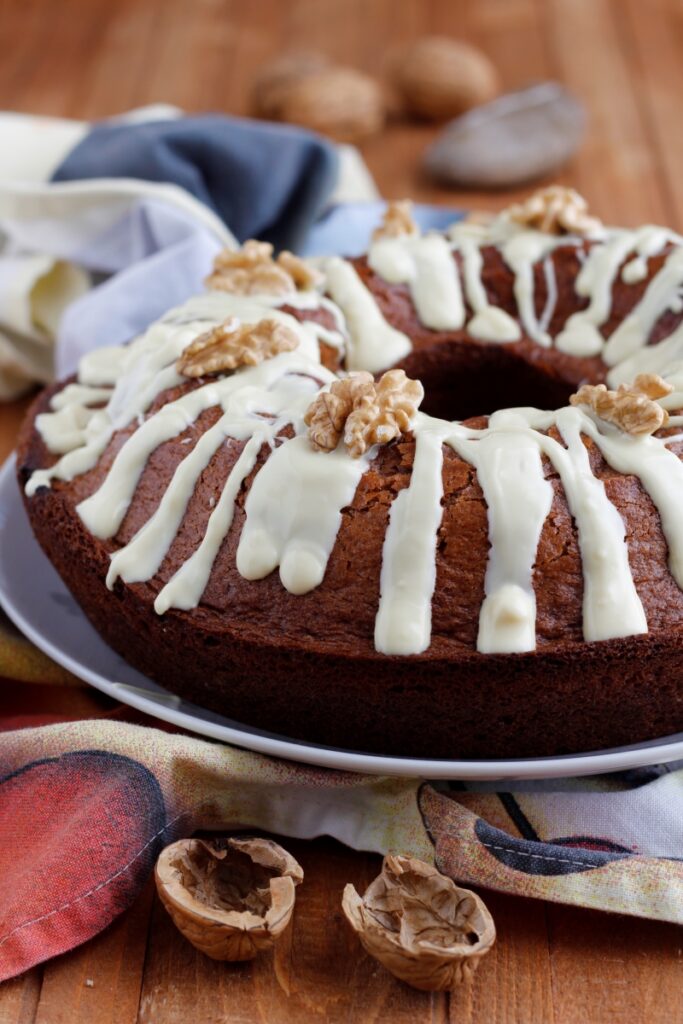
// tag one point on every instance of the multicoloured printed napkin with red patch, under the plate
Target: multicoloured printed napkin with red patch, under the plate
(87, 806)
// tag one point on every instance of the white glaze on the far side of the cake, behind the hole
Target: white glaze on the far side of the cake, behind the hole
(435, 283)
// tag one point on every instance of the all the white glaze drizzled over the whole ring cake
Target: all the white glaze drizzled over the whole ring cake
(293, 510)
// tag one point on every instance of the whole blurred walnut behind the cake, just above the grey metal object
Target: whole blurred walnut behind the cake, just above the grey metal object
(440, 78)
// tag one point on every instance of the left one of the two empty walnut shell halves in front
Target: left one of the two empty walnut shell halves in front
(231, 899)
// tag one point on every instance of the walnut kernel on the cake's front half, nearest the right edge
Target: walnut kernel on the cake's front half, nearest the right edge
(632, 408)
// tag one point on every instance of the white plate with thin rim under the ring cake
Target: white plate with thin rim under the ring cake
(38, 603)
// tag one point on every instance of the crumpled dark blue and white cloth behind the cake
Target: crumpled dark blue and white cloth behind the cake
(104, 228)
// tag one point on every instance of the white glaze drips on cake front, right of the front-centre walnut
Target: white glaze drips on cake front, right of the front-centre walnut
(507, 458)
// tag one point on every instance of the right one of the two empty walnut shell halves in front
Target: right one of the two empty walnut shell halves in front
(420, 925)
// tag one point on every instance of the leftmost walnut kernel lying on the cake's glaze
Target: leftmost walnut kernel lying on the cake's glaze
(233, 345)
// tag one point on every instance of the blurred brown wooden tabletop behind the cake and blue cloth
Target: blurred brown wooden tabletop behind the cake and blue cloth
(621, 59)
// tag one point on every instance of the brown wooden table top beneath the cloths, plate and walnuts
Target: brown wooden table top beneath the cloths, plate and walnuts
(89, 59)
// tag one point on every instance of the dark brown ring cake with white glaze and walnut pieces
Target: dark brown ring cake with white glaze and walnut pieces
(474, 578)
